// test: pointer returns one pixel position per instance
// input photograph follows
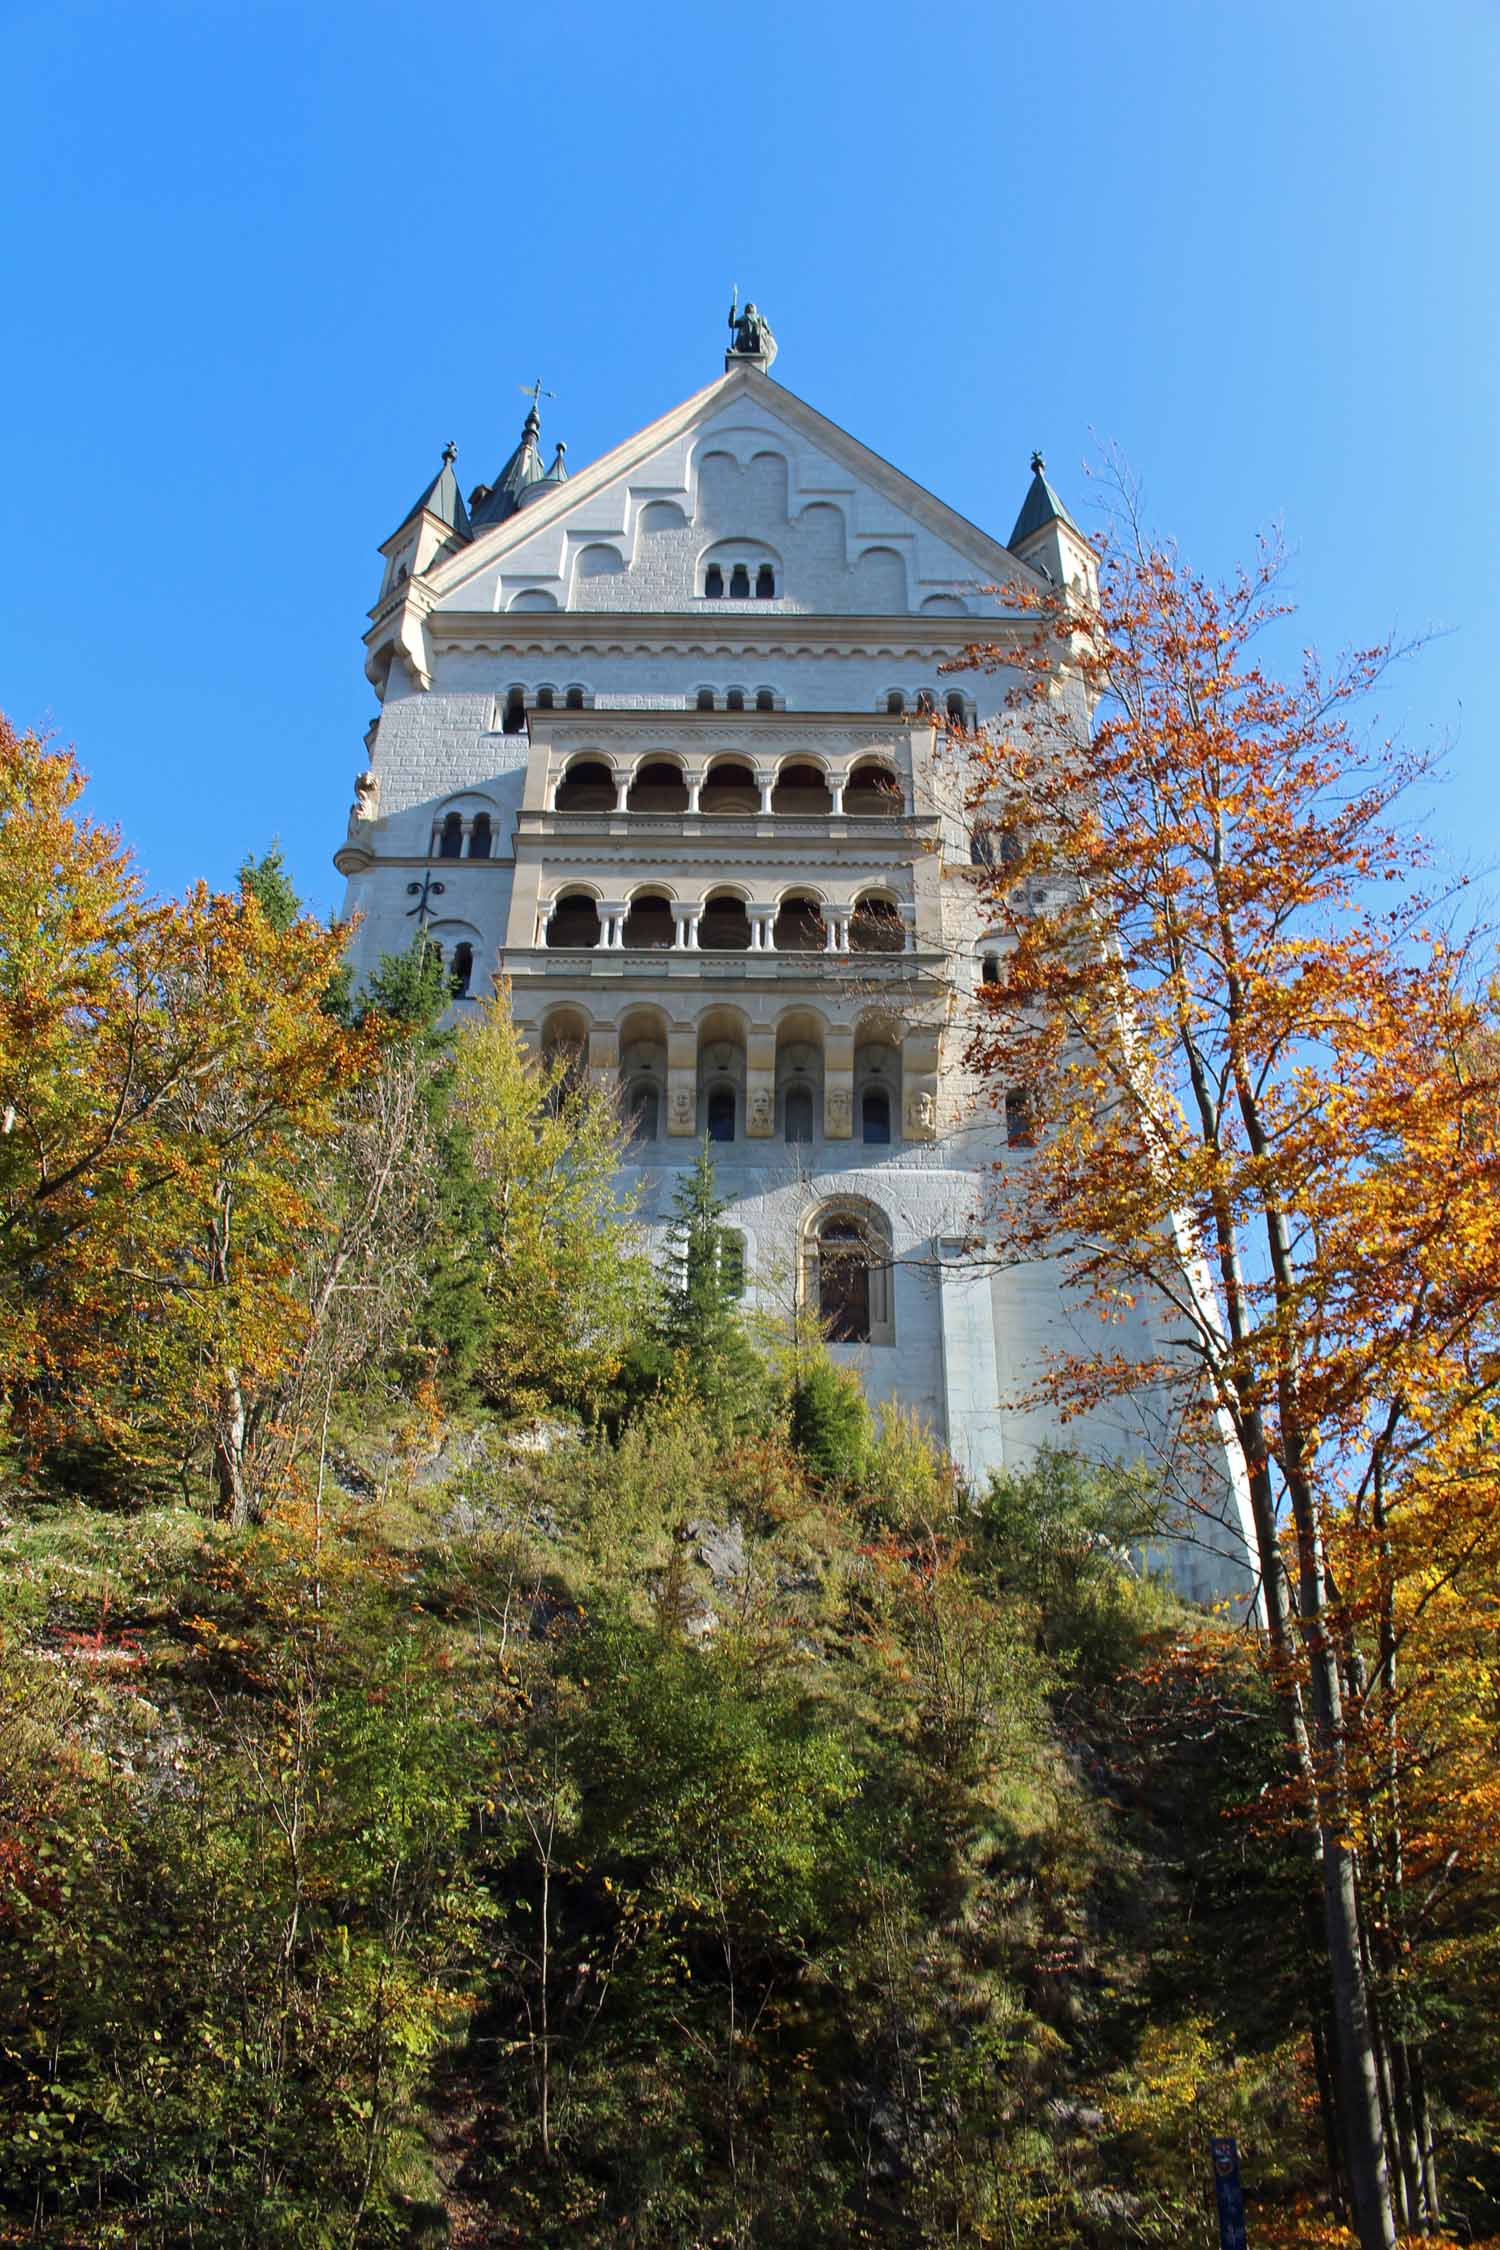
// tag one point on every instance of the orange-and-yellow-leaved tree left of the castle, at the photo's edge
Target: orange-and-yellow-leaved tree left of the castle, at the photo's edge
(165, 1070)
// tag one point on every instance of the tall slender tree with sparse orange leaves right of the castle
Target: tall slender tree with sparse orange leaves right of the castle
(1260, 1099)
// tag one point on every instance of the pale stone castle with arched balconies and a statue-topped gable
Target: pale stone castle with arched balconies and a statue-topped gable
(665, 746)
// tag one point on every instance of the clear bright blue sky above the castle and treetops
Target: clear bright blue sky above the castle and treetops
(262, 262)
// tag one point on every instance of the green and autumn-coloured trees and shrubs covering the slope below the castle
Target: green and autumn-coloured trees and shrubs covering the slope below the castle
(498, 1749)
